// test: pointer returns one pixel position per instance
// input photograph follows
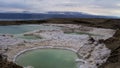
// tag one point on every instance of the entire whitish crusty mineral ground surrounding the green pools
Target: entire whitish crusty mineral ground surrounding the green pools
(91, 55)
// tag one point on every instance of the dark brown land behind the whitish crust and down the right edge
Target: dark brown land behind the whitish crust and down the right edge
(112, 43)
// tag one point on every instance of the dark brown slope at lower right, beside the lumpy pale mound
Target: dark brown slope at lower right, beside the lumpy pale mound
(113, 43)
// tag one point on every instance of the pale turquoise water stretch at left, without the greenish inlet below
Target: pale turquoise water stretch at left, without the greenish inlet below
(18, 29)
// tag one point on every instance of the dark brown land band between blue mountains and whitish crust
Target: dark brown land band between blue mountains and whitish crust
(95, 22)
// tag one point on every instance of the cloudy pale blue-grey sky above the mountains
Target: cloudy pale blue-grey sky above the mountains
(96, 7)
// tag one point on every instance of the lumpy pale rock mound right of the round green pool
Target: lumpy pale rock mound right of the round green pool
(94, 54)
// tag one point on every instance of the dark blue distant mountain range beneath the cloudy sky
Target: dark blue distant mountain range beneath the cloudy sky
(37, 16)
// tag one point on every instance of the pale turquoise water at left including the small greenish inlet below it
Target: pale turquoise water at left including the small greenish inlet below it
(18, 30)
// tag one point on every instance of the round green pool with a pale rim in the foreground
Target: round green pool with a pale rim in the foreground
(48, 58)
